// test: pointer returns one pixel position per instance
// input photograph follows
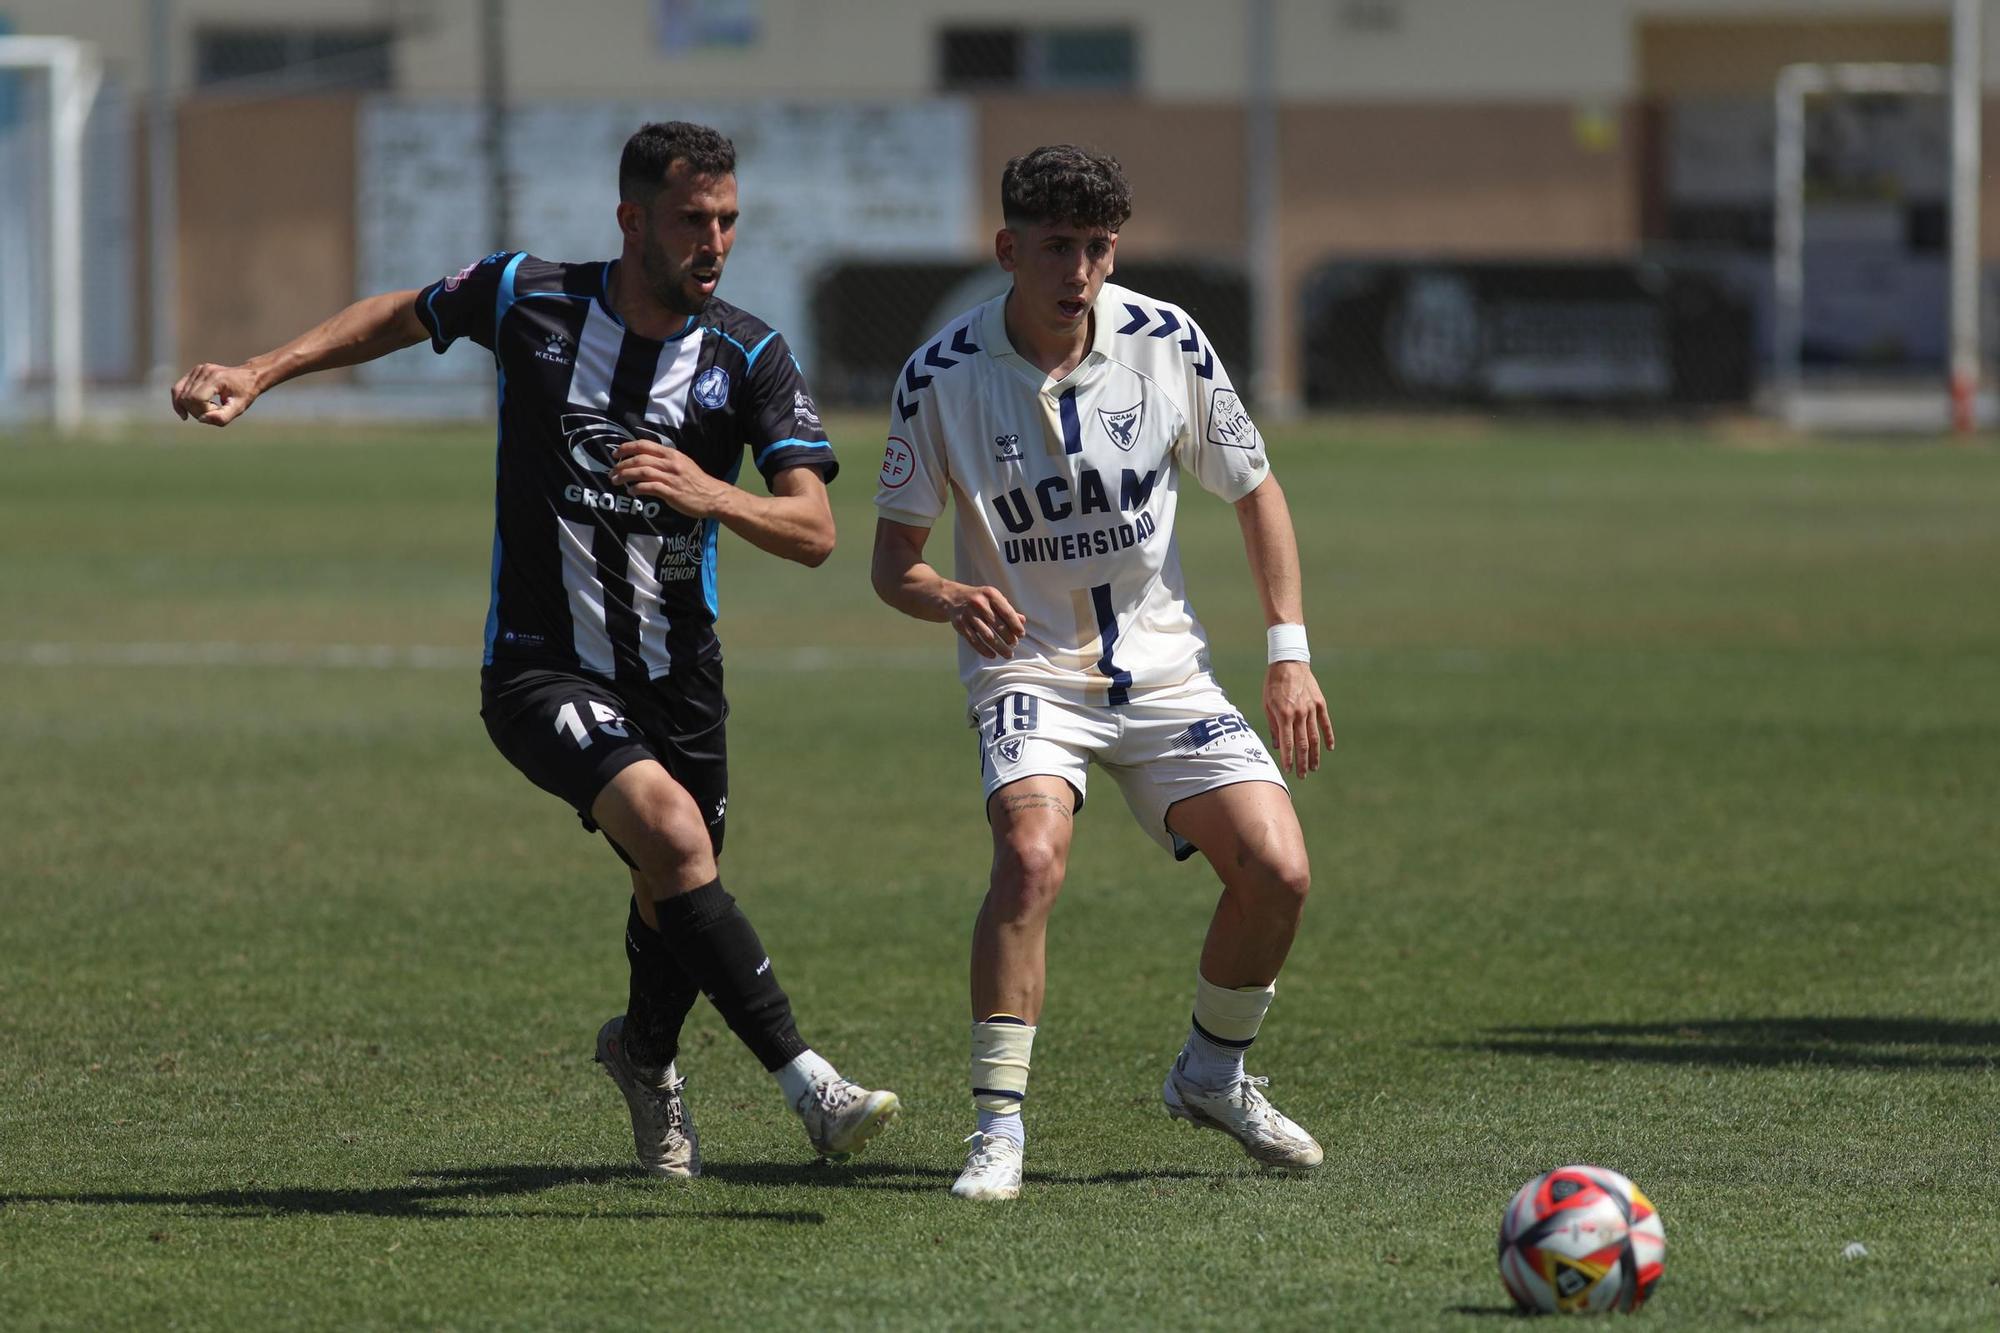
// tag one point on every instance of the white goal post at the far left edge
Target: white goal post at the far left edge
(73, 77)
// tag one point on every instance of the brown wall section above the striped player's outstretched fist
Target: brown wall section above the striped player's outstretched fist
(267, 223)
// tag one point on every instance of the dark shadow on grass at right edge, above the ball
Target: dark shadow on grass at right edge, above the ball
(1839, 1044)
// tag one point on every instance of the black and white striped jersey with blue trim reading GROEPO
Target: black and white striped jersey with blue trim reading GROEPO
(583, 573)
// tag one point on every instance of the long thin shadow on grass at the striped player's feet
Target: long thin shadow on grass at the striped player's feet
(431, 1196)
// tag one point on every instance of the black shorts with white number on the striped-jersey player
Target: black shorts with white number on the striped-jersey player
(573, 732)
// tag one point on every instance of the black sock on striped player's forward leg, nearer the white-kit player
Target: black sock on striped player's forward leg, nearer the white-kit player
(715, 946)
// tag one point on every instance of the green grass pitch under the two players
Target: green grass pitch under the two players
(1661, 836)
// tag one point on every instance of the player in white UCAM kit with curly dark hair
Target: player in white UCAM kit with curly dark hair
(1057, 419)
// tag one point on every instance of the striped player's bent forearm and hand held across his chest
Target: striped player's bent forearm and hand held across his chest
(795, 521)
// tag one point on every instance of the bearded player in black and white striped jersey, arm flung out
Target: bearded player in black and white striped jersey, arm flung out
(629, 395)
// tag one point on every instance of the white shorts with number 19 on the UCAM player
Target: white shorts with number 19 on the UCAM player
(1161, 748)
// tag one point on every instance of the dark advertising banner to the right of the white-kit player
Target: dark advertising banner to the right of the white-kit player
(1411, 333)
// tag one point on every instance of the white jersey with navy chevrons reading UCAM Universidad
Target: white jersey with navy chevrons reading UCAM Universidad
(1065, 489)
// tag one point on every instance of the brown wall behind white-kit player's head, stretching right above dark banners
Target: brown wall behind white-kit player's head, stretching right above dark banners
(1363, 179)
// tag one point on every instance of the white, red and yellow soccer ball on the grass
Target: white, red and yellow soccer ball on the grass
(1581, 1240)
